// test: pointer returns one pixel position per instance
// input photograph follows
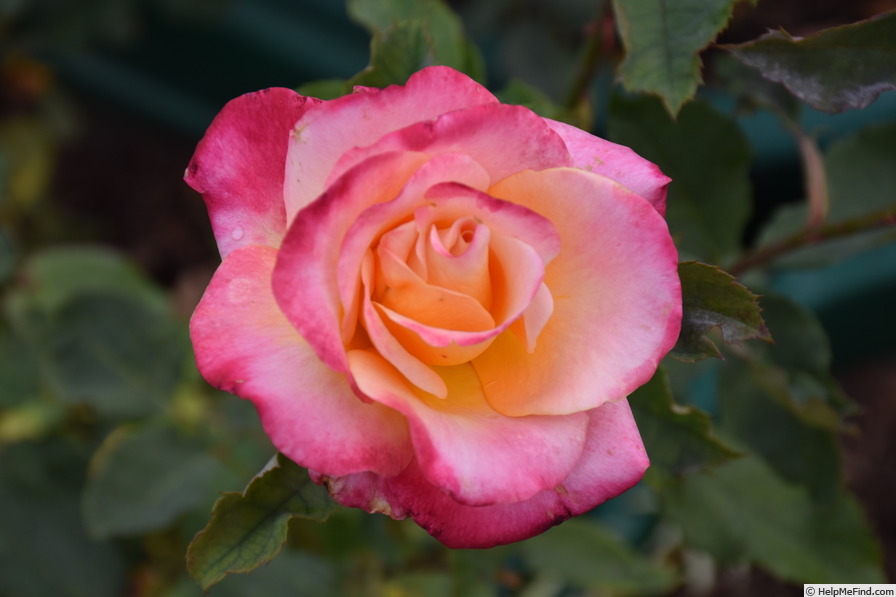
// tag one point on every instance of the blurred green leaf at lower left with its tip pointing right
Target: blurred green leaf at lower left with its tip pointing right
(142, 479)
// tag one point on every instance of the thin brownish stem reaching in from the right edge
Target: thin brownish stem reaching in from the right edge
(811, 236)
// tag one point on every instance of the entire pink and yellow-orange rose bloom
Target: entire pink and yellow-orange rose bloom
(438, 303)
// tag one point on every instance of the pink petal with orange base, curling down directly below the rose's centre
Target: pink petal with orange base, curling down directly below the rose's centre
(464, 447)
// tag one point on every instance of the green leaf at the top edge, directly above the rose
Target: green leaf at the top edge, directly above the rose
(411, 34)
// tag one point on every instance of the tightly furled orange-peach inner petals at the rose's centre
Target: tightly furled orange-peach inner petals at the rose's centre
(441, 287)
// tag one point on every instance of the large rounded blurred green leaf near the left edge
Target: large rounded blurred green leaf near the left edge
(101, 332)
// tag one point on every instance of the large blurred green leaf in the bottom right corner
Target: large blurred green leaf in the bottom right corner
(743, 511)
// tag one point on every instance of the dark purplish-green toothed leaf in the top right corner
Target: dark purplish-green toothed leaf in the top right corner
(838, 69)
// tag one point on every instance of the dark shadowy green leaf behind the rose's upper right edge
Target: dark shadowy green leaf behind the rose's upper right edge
(707, 157)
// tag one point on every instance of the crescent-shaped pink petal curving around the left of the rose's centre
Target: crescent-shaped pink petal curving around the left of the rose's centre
(304, 281)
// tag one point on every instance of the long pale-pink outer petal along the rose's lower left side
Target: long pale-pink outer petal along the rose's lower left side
(245, 345)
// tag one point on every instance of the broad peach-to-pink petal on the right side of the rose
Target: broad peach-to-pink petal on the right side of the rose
(617, 298)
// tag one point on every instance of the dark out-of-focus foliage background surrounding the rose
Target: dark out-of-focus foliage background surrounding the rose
(113, 450)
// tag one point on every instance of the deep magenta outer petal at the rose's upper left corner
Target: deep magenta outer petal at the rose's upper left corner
(238, 167)
